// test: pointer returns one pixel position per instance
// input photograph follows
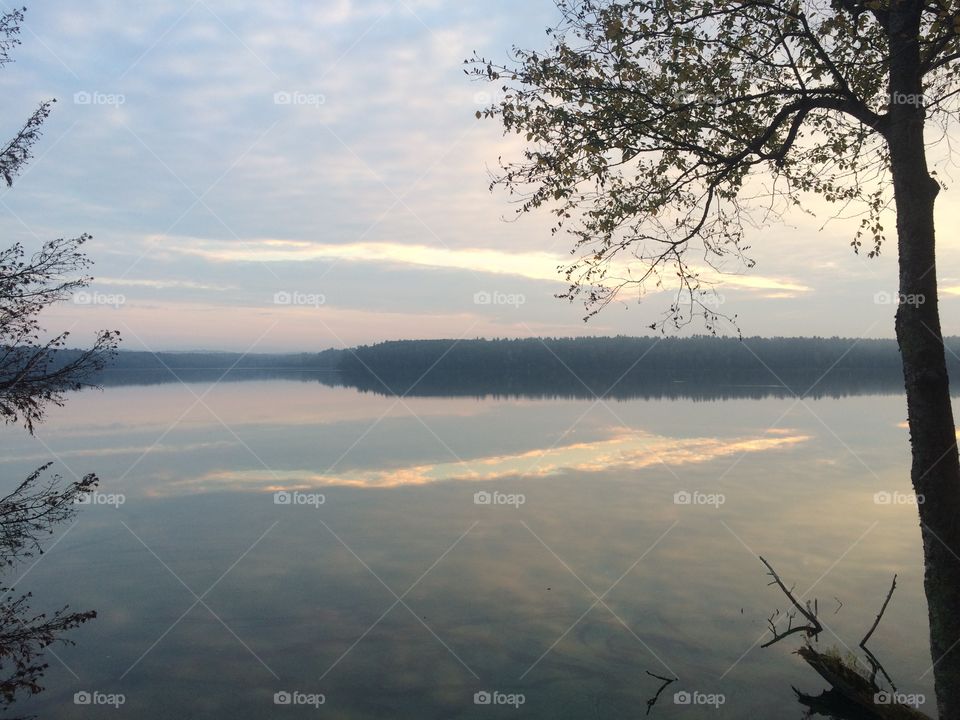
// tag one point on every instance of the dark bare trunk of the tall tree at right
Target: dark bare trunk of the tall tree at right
(935, 469)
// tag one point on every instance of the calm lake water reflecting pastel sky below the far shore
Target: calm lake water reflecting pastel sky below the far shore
(400, 596)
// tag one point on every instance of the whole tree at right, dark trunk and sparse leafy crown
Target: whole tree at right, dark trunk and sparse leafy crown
(657, 129)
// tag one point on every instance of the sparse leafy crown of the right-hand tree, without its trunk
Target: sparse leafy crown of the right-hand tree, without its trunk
(659, 131)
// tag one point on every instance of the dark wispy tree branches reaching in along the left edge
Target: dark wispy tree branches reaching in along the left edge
(34, 372)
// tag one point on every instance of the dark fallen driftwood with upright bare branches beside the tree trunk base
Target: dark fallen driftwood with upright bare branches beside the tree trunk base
(853, 695)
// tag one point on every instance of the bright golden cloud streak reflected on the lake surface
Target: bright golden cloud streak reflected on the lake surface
(625, 450)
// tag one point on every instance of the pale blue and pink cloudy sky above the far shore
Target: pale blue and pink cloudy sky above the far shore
(294, 175)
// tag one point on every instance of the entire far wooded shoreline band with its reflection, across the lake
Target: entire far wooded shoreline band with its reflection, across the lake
(700, 367)
